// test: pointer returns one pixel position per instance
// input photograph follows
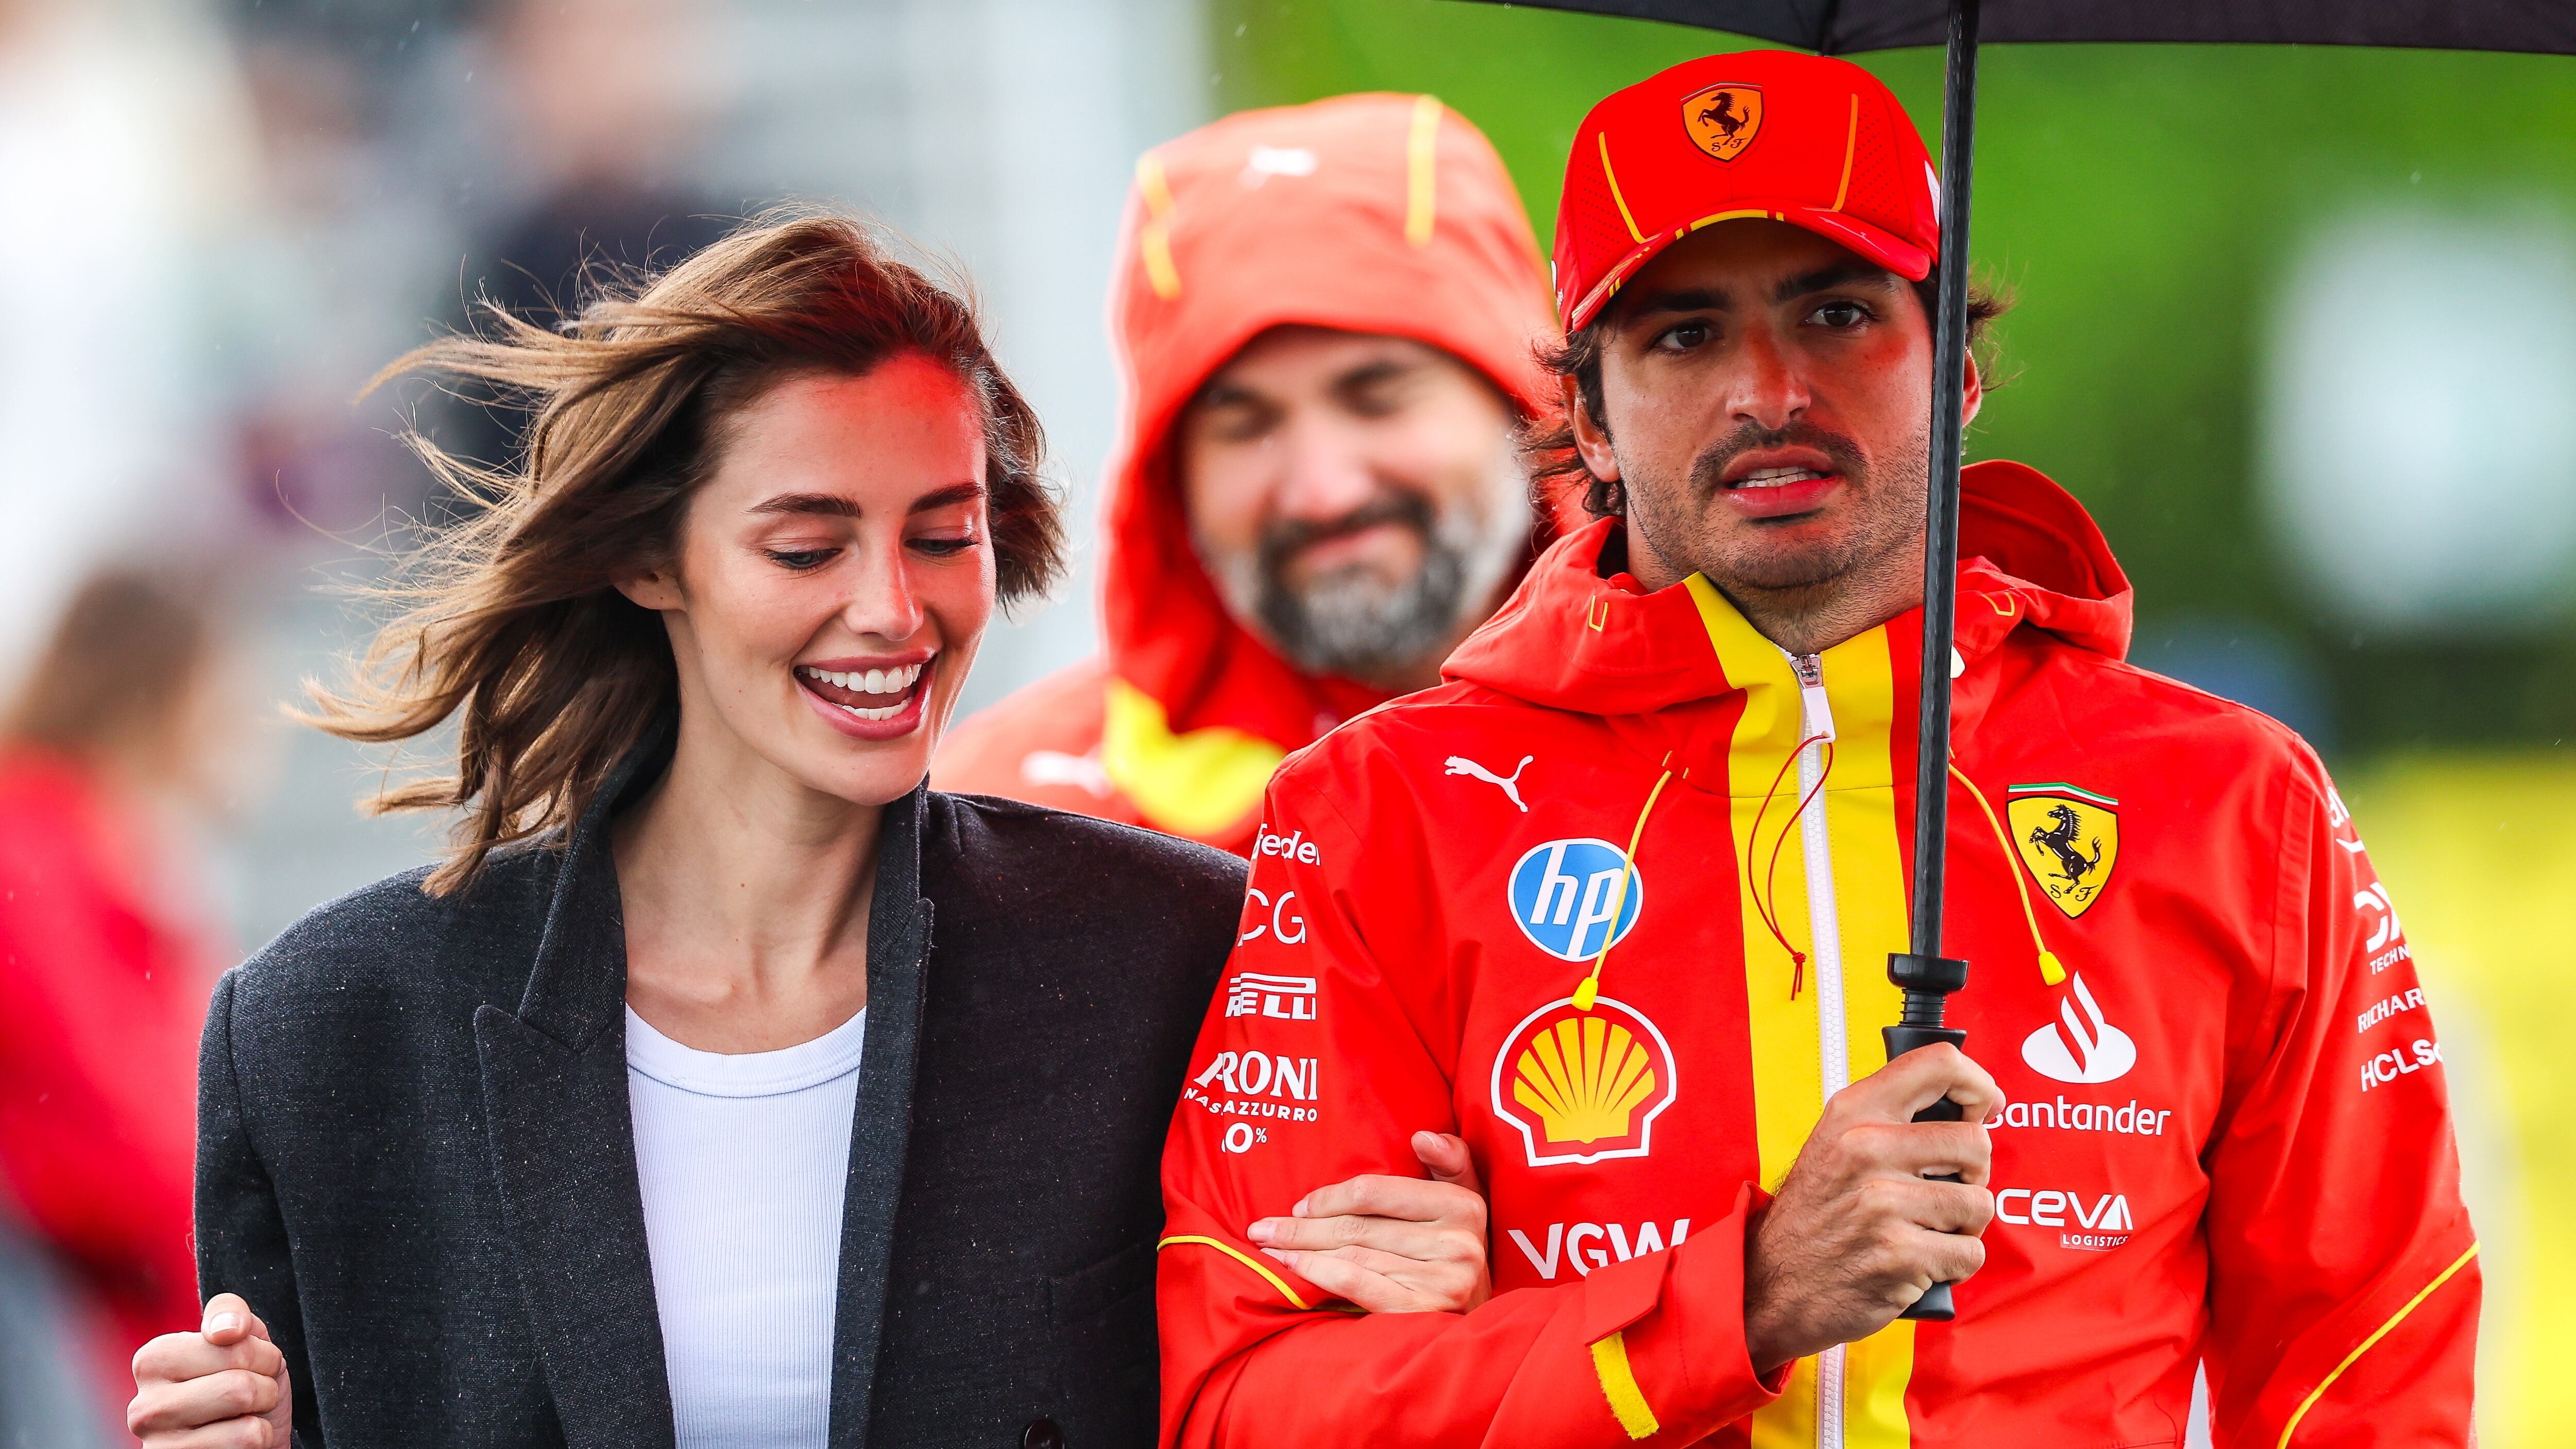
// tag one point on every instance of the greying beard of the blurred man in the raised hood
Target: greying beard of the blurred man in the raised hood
(1359, 625)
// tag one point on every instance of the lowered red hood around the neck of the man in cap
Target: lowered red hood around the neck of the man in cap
(1604, 646)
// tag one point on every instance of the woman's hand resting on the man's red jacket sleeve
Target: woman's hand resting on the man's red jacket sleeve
(1392, 1244)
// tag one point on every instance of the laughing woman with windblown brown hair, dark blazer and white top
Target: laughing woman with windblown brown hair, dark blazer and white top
(725, 1087)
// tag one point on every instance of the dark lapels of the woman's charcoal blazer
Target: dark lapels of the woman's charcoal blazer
(563, 1133)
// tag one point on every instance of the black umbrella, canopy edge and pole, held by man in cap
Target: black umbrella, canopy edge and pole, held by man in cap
(1846, 27)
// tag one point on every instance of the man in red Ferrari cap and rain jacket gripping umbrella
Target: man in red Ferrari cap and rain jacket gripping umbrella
(1614, 904)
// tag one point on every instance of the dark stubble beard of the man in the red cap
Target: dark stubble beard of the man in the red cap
(1817, 597)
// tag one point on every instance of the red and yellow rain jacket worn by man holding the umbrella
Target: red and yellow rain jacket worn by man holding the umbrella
(2227, 1131)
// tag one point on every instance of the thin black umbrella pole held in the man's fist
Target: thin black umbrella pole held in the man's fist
(1923, 973)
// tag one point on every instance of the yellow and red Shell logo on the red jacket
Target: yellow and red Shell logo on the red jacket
(1583, 1087)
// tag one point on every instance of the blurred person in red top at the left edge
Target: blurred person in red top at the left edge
(117, 749)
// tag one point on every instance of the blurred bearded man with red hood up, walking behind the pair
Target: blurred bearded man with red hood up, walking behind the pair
(1328, 321)
